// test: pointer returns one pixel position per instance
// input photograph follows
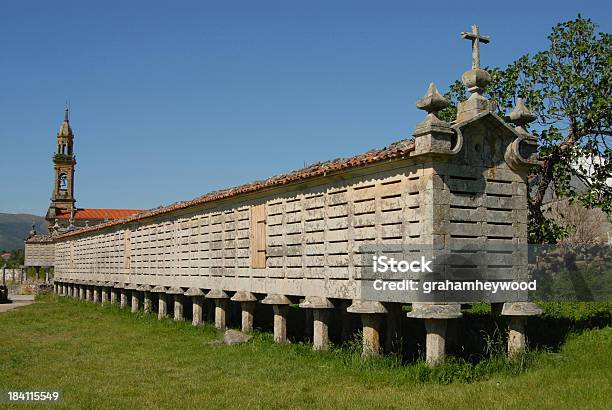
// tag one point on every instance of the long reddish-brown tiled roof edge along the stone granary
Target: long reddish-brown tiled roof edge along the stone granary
(397, 150)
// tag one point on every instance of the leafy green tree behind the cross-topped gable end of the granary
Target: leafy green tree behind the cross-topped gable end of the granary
(569, 88)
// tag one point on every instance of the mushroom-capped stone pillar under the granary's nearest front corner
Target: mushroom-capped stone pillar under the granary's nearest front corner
(436, 316)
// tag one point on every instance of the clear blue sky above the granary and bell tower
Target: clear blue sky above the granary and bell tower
(173, 99)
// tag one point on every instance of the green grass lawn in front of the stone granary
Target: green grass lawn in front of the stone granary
(101, 357)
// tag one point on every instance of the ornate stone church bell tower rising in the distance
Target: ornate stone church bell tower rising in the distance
(64, 163)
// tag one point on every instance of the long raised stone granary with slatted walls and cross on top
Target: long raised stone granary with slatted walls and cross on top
(301, 238)
